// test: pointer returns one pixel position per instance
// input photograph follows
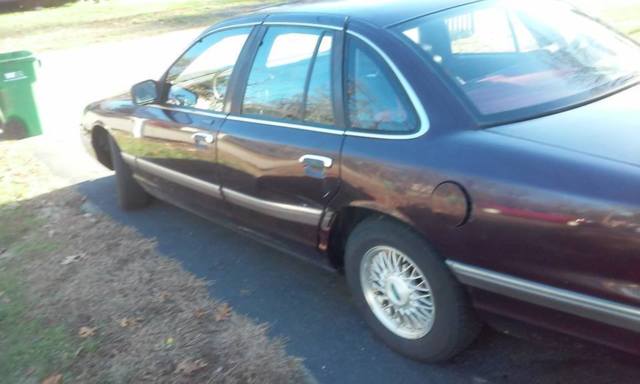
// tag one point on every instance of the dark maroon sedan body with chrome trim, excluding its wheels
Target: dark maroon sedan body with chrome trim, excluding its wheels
(537, 215)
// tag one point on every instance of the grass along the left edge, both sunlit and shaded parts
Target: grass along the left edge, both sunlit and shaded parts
(29, 349)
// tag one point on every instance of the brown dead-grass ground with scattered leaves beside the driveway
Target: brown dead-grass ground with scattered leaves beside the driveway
(148, 320)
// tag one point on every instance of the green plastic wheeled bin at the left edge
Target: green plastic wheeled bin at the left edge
(18, 110)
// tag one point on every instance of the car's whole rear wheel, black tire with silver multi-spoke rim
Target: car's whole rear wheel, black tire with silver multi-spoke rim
(406, 292)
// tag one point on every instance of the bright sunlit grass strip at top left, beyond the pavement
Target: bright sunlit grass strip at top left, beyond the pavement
(83, 23)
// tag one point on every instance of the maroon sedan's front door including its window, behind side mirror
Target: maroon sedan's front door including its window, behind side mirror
(175, 142)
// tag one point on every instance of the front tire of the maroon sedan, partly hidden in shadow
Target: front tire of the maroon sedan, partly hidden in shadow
(131, 195)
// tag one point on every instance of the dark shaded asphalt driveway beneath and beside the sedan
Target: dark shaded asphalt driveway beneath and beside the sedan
(311, 308)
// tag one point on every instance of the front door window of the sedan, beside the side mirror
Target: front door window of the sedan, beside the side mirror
(199, 79)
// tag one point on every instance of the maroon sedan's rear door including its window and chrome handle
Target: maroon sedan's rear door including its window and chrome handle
(279, 149)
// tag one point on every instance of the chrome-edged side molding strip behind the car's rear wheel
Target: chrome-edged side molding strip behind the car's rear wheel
(589, 307)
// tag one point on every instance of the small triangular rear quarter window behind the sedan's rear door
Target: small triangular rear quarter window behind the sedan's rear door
(375, 99)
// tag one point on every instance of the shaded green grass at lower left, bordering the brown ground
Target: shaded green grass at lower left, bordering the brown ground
(30, 349)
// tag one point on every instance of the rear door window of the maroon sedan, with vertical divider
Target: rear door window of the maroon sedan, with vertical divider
(291, 76)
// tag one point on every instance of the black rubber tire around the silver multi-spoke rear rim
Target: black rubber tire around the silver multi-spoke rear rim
(454, 324)
